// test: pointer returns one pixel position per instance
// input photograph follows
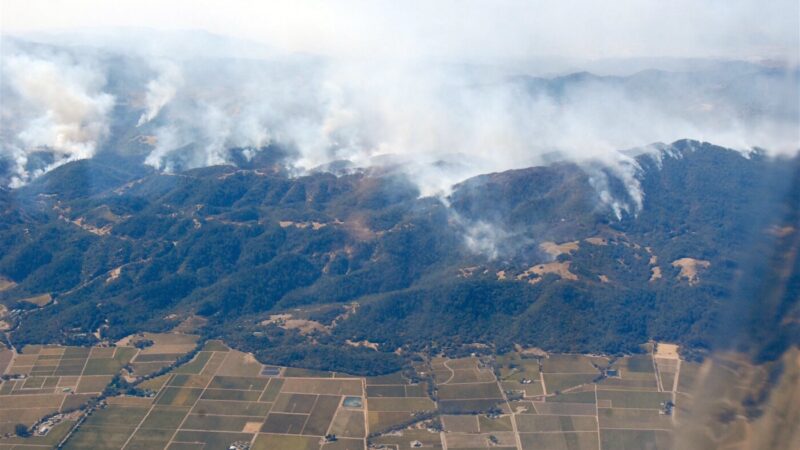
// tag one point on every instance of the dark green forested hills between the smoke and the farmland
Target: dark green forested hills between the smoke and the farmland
(353, 271)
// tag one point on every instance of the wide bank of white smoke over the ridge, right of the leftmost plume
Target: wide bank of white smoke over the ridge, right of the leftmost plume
(446, 123)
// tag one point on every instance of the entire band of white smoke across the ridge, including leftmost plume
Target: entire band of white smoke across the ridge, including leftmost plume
(441, 123)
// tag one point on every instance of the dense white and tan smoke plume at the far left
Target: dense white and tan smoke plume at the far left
(59, 107)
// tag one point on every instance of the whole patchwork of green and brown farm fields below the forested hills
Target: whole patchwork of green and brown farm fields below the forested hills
(181, 395)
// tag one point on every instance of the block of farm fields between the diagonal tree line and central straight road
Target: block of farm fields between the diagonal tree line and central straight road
(223, 397)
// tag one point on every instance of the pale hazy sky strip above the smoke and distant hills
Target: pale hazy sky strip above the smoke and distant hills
(480, 31)
